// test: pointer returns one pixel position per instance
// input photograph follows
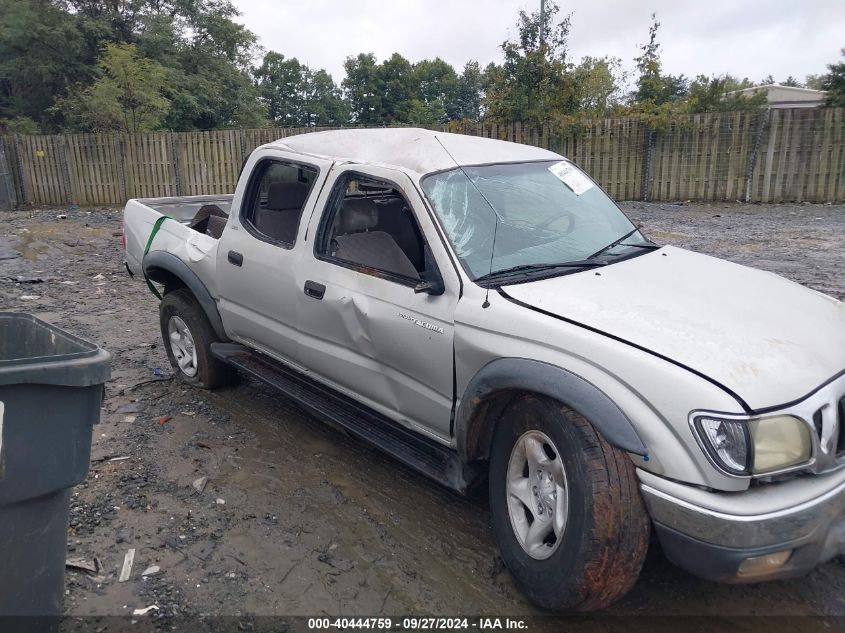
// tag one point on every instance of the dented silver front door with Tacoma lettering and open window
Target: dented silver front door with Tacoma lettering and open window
(363, 327)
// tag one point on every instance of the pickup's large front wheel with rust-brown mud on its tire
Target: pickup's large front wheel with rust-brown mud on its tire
(566, 508)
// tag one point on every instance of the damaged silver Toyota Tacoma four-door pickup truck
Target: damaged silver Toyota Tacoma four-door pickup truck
(481, 309)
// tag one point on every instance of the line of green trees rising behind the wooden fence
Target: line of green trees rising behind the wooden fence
(141, 65)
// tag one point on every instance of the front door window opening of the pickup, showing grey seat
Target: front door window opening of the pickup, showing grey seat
(370, 226)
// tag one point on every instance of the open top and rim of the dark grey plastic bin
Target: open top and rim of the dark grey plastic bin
(35, 352)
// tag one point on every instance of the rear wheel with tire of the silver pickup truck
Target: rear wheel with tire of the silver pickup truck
(187, 337)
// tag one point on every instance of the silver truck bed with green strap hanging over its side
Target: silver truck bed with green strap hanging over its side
(195, 249)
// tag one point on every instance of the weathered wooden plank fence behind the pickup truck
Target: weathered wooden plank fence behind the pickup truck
(757, 156)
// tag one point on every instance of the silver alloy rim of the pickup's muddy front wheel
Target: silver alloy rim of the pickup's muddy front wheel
(537, 494)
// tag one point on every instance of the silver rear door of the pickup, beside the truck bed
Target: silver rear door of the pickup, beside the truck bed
(256, 256)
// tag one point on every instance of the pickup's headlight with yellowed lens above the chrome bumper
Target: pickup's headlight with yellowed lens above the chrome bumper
(757, 446)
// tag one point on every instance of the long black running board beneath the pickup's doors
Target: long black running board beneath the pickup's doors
(412, 449)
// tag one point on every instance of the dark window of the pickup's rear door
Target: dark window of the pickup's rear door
(275, 200)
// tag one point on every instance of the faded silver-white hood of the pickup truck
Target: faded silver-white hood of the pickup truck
(769, 340)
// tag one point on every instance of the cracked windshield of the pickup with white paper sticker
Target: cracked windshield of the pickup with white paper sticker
(501, 217)
